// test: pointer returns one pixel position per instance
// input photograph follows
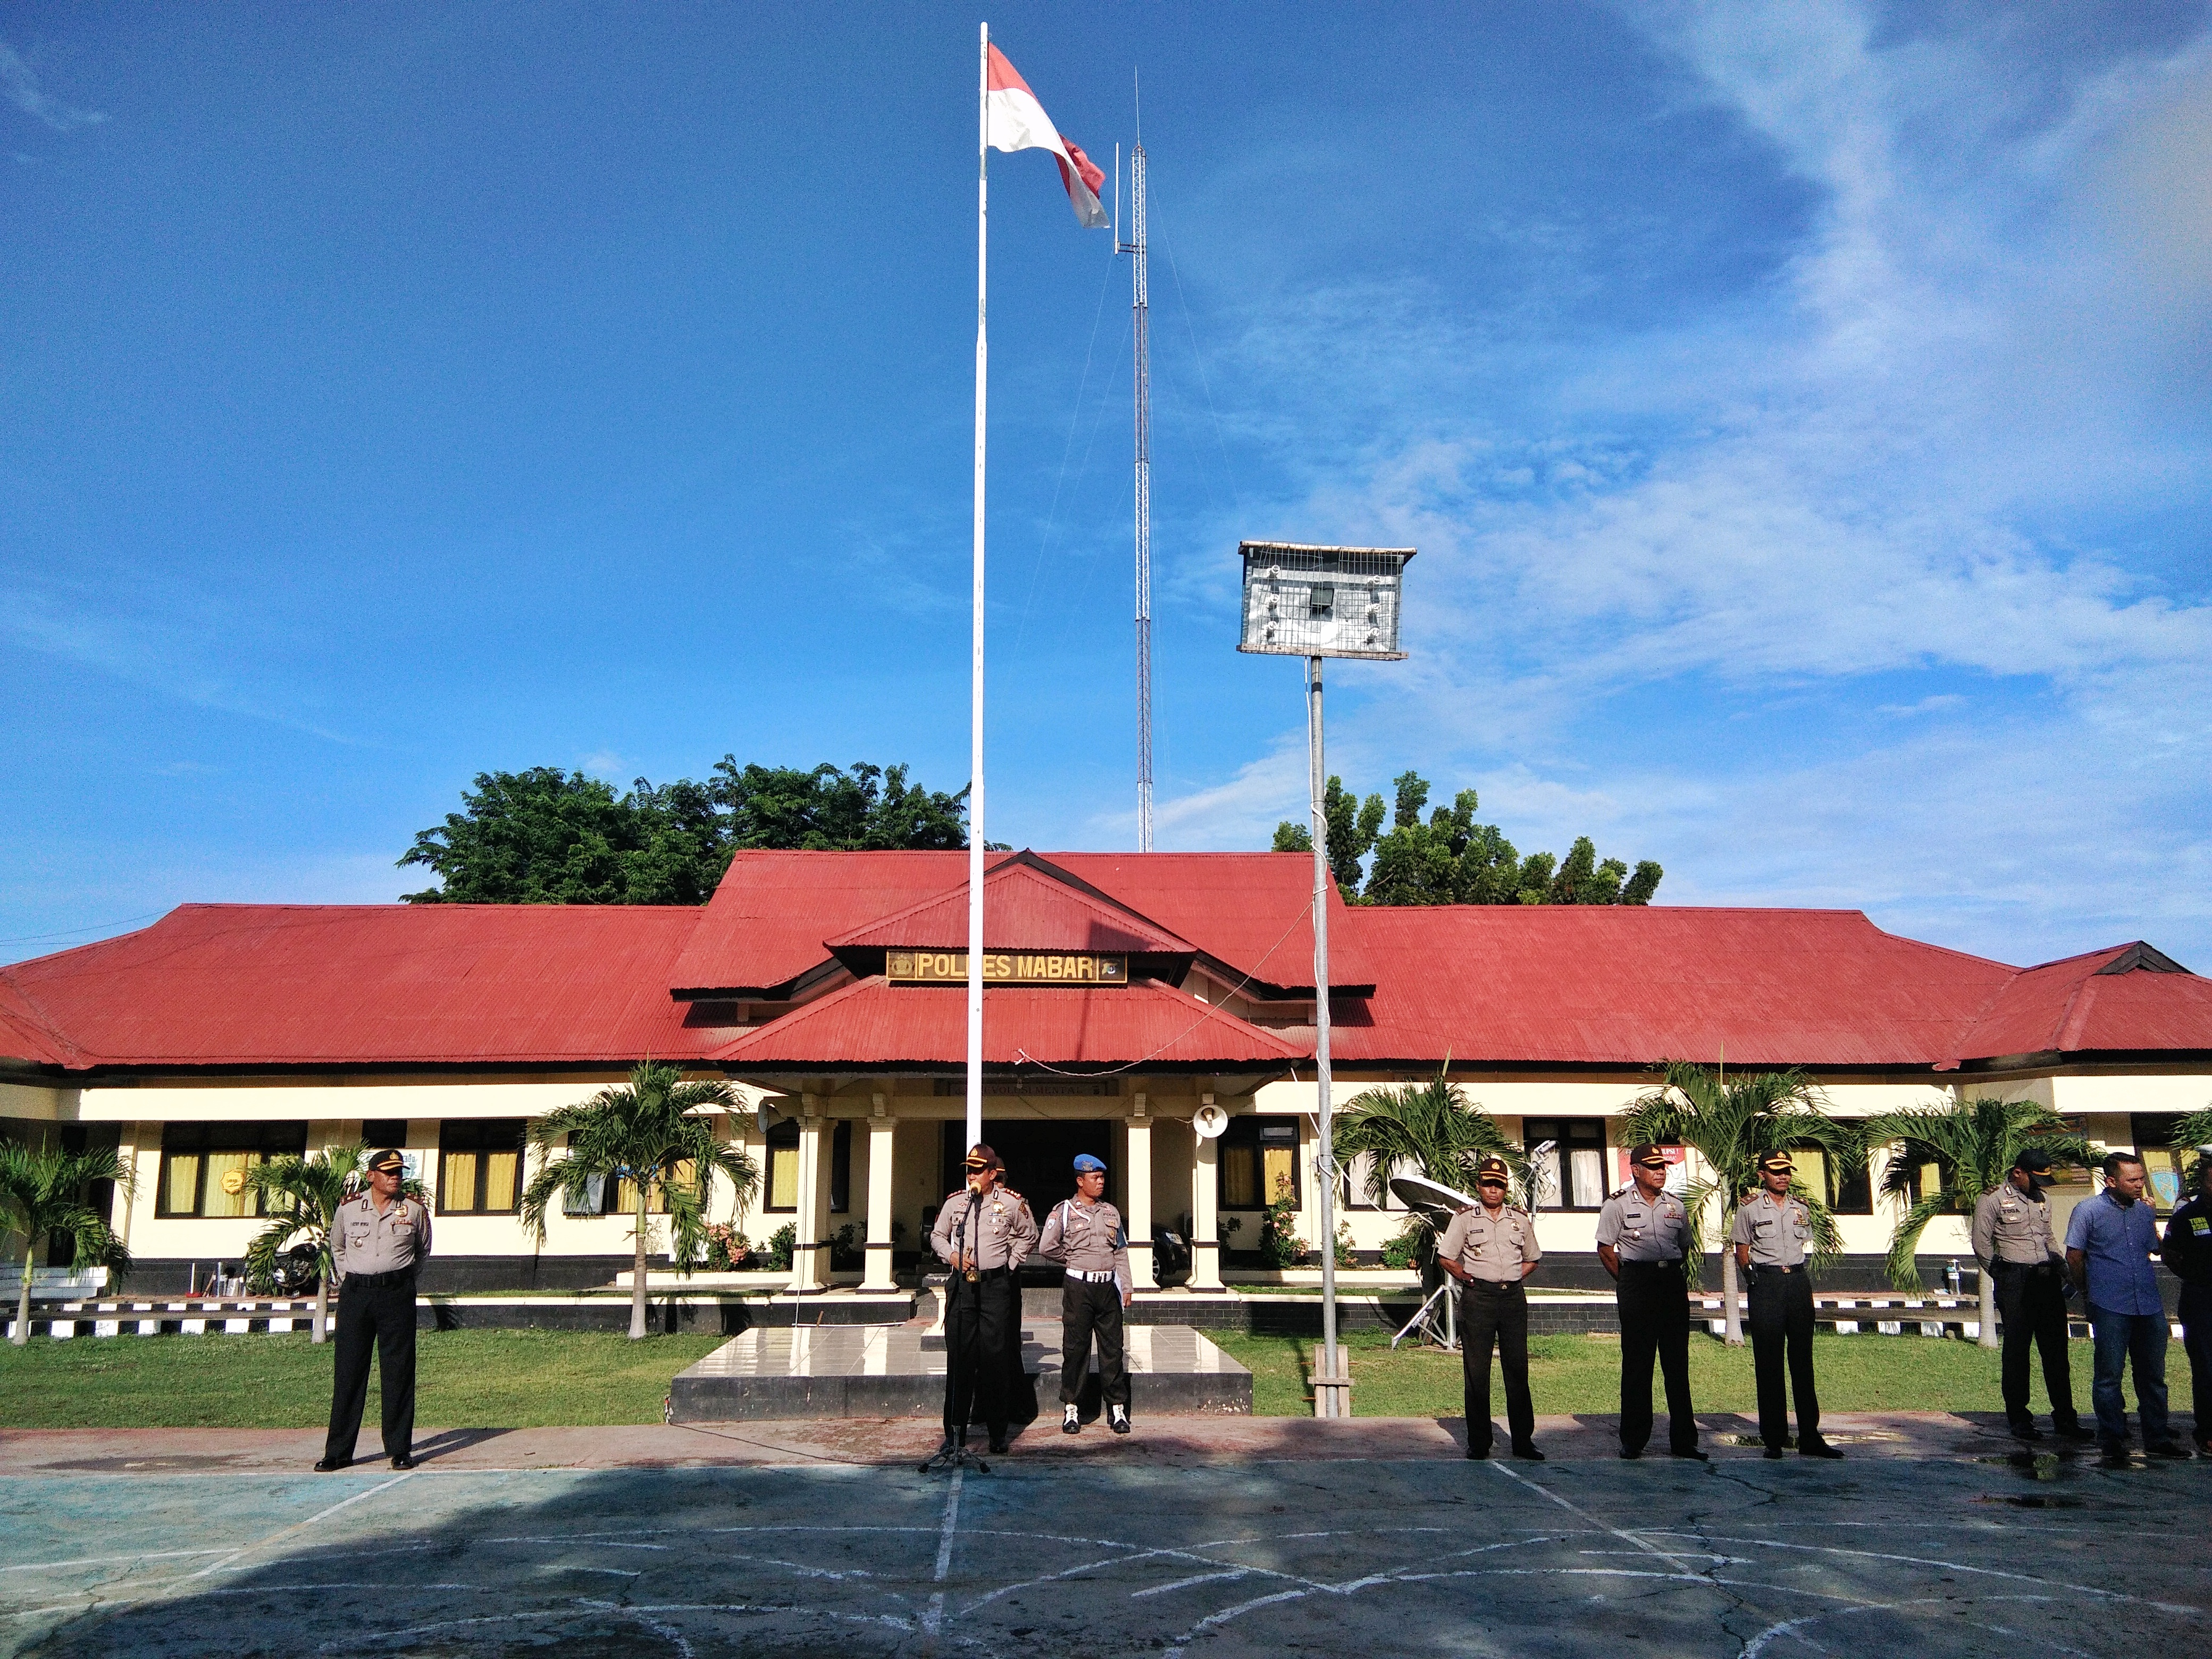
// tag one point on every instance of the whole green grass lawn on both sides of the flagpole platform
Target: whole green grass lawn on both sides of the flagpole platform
(534, 1379)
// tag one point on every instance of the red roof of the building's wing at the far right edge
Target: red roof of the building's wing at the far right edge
(2098, 1003)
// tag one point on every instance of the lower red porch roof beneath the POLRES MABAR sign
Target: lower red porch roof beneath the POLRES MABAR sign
(904, 1025)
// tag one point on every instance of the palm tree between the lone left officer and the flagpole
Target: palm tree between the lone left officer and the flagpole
(654, 1138)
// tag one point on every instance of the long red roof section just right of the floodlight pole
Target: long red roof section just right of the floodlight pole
(1627, 985)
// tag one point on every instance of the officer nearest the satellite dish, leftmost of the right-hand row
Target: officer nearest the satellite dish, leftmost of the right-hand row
(1490, 1249)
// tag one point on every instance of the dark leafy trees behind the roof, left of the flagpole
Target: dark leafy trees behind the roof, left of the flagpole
(550, 837)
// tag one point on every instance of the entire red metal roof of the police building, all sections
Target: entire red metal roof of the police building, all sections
(419, 985)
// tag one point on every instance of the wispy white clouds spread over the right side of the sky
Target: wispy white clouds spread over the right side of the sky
(1903, 461)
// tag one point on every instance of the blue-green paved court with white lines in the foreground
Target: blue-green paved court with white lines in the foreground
(1937, 1556)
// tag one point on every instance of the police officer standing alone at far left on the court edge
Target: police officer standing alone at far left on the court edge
(377, 1244)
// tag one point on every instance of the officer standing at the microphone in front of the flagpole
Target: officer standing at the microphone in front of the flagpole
(981, 1235)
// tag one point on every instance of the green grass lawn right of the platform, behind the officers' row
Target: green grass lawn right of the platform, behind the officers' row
(1574, 1375)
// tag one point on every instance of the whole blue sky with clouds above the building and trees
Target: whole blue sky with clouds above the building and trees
(1804, 415)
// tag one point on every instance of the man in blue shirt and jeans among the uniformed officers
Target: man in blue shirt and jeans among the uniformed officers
(2109, 1249)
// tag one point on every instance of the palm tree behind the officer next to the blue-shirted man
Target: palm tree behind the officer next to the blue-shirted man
(1972, 1142)
